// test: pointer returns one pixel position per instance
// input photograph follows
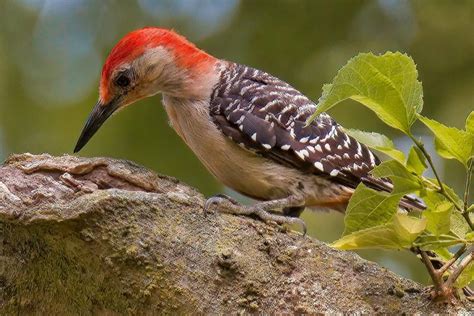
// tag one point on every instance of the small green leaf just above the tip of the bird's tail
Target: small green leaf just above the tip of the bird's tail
(403, 181)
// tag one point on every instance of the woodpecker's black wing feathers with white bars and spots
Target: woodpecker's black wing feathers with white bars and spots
(268, 116)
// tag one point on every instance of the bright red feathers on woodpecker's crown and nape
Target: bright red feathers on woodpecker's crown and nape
(136, 42)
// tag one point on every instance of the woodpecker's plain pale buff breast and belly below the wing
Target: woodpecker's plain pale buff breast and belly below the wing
(240, 169)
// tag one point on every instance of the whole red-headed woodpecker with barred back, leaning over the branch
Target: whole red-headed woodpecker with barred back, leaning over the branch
(247, 127)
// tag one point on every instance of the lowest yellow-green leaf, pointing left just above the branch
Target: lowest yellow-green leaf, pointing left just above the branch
(400, 233)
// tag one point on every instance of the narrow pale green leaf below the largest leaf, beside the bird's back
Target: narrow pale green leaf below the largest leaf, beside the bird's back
(378, 142)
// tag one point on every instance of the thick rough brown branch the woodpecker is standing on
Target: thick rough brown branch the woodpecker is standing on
(103, 236)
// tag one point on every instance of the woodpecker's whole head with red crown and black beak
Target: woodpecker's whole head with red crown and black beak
(143, 63)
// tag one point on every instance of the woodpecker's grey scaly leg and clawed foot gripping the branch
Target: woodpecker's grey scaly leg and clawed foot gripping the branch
(261, 209)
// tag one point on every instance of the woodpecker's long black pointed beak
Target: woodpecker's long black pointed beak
(97, 117)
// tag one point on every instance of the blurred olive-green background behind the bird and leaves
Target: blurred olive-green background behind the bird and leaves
(51, 53)
